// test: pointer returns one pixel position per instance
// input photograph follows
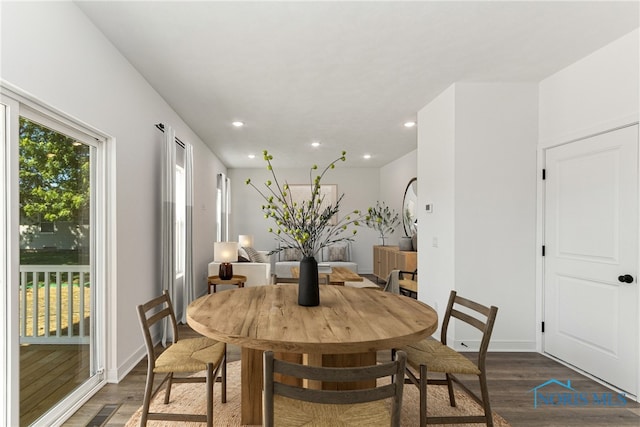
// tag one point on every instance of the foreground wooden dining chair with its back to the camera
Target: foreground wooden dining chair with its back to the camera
(287, 405)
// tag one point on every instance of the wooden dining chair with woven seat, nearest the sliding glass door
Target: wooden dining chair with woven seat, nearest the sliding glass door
(185, 356)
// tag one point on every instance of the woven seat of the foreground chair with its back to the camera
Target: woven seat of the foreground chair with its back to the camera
(291, 412)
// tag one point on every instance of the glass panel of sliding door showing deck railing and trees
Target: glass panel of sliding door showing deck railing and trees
(56, 267)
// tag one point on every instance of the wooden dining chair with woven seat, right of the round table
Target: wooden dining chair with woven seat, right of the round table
(430, 355)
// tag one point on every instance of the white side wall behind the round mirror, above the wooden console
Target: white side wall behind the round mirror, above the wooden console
(394, 178)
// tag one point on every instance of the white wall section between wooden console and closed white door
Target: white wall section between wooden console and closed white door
(477, 145)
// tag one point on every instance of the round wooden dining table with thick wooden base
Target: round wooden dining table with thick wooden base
(346, 329)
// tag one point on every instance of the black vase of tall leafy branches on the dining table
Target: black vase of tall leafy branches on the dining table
(305, 225)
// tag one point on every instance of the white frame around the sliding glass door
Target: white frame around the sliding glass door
(103, 217)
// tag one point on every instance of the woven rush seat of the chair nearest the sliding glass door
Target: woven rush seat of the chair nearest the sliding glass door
(190, 355)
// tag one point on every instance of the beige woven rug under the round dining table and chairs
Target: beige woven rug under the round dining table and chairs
(191, 398)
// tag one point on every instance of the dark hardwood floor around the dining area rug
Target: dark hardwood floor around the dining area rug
(511, 377)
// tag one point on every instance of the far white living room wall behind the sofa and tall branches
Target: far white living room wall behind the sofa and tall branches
(359, 185)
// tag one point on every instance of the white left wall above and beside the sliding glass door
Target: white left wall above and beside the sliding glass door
(52, 51)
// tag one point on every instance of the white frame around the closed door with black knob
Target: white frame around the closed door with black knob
(540, 233)
